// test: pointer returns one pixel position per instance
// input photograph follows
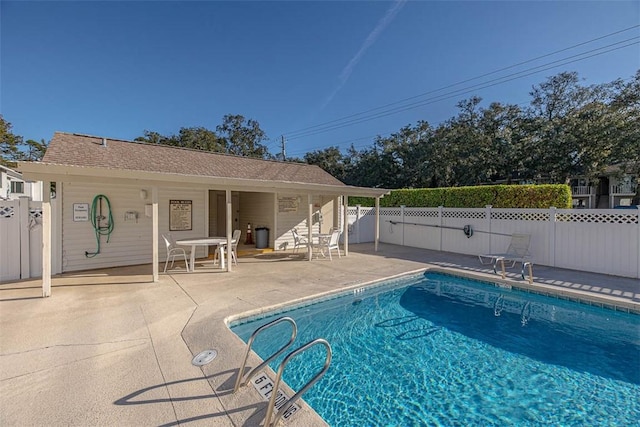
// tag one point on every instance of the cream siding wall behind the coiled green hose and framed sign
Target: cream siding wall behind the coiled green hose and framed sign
(130, 242)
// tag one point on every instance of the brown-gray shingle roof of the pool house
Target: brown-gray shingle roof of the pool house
(69, 149)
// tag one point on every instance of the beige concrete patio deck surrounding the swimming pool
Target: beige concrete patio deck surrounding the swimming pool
(109, 347)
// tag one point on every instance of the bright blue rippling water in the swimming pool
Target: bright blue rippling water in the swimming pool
(441, 350)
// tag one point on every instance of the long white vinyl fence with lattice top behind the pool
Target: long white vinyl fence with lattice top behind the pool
(597, 240)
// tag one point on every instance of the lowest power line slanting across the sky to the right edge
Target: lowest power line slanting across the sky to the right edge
(462, 91)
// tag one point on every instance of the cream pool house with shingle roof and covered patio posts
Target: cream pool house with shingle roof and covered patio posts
(148, 189)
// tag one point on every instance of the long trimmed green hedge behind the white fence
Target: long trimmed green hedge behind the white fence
(498, 196)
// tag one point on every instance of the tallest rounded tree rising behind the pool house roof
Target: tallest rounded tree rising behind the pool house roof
(243, 137)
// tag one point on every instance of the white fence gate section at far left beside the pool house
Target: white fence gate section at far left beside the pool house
(20, 239)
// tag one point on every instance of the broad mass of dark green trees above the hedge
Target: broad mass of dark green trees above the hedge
(568, 130)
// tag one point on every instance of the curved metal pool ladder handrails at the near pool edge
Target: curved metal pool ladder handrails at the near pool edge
(283, 364)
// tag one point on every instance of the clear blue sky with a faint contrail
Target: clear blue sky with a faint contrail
(117, 68)
